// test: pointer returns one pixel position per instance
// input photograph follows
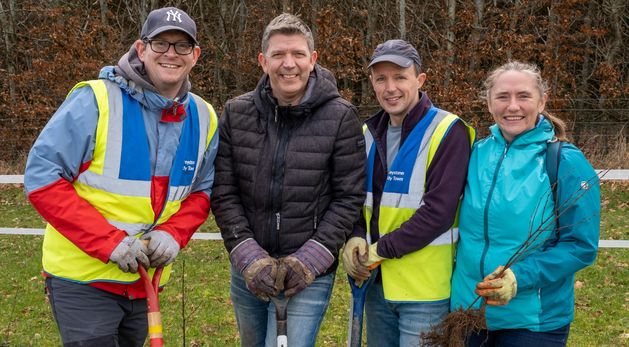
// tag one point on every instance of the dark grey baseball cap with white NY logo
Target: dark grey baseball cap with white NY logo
(168, 18)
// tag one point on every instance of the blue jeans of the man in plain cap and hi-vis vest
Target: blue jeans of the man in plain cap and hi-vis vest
(399, 323)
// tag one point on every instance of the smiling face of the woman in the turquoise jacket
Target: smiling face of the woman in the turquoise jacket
(515, 102)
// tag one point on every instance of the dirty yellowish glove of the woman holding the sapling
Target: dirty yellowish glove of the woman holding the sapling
(498, 291)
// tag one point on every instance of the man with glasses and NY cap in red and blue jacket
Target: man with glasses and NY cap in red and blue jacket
(123, 173)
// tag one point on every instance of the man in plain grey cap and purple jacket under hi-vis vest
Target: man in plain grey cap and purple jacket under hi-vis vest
(416, 169)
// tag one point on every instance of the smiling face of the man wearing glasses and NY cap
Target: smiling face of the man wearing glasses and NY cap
(168, 70)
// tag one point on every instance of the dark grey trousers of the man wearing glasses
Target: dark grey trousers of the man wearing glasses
(87, 316)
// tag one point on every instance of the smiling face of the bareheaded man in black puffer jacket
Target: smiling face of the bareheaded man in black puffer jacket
(288, 62)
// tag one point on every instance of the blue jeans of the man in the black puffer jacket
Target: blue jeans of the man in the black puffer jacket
(256, 318)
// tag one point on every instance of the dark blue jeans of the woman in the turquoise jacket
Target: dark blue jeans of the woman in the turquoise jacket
(520, 338)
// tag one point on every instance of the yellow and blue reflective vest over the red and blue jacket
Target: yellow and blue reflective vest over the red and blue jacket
(118, 180)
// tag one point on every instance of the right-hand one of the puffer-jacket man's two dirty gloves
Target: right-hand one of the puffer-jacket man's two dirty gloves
(303, 266)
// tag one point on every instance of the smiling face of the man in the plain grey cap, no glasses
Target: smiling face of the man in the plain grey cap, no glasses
(396, 88)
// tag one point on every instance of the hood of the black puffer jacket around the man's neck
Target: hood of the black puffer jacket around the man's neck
(320, 89)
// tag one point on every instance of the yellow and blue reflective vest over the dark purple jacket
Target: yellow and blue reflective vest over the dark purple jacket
(423, 275)
